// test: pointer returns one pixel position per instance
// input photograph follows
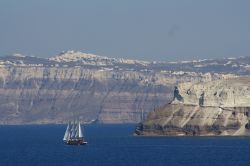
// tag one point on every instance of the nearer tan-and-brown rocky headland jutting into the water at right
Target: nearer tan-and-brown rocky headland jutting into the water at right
(219, 107)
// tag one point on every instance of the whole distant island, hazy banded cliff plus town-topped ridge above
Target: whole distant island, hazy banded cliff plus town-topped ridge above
(90, 87)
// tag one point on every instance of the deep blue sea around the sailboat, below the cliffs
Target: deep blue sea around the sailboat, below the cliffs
(114, 145)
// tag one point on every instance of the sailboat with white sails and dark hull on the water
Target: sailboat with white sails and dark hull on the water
(73, 134)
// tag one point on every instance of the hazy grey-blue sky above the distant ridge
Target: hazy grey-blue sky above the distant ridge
(139, 29)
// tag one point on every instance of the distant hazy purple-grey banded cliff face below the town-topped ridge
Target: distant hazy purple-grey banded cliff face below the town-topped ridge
(54, 95)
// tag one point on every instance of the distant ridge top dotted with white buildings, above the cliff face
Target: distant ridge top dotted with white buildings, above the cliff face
(240, 65)
